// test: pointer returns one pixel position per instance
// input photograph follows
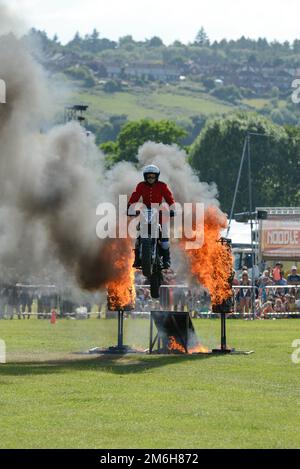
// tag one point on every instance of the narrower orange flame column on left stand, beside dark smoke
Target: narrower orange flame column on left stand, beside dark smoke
(121, 290)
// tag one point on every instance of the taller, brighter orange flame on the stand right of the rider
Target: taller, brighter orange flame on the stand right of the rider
(212, 263)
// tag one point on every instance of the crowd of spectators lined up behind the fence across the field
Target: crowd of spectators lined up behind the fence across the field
(274, 294)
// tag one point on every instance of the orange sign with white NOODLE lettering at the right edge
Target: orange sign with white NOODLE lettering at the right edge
(280, 239)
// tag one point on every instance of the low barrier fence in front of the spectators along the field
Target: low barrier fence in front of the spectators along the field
(271, 301)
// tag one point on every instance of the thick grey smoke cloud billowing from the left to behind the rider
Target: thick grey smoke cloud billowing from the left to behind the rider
(50, 184)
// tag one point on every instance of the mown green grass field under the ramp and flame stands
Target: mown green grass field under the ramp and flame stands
(51, 397)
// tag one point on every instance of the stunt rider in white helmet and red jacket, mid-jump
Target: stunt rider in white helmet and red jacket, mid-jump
(153, 191)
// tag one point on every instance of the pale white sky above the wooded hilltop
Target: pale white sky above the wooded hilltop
(169, 19)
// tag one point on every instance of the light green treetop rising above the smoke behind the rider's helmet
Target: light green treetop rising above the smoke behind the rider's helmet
(135, 133)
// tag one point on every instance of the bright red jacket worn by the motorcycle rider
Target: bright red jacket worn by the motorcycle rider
(152, 194)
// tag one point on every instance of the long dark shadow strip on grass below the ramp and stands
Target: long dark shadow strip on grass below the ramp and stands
(116, 364)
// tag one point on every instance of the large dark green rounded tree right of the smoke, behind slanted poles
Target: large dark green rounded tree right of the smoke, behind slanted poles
(216, 155)
